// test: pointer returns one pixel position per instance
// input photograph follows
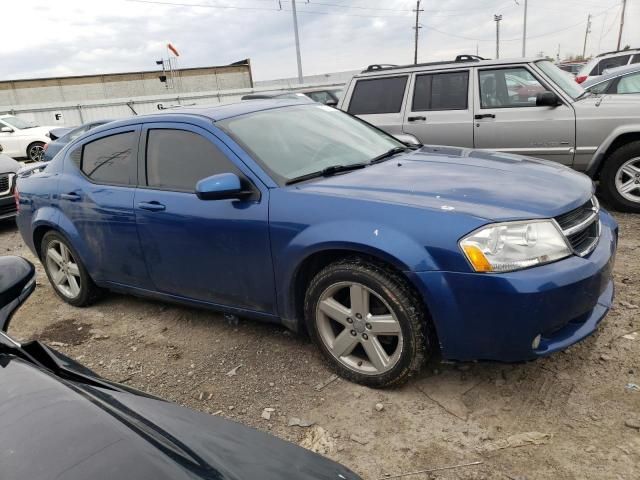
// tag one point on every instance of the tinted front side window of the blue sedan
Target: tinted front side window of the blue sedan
(178, 159)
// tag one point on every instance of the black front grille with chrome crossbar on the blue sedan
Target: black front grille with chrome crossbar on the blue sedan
(581, 227)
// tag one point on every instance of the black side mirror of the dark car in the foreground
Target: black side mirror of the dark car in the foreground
(17, 282)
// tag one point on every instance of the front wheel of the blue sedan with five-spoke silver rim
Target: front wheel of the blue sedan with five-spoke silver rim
(347, 333)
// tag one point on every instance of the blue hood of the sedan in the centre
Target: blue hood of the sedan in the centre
(493, 186)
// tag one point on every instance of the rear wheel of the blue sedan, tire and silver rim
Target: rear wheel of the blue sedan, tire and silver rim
(80, 291)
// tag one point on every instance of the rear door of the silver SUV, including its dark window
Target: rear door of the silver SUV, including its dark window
(440, 108)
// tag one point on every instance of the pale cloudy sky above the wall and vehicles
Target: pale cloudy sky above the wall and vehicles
(74, 37)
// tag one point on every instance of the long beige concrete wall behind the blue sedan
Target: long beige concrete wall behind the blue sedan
(15, 93)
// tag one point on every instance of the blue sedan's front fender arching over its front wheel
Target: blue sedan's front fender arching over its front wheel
(380, 241)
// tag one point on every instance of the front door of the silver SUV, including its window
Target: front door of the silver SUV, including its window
(507, 119)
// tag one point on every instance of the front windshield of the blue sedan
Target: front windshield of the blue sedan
(294, 141)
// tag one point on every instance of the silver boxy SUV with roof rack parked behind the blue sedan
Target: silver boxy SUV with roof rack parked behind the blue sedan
(528, 107)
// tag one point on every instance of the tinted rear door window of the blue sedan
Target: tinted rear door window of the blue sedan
(112, 159)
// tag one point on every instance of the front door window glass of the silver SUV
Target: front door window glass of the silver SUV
(508, 88)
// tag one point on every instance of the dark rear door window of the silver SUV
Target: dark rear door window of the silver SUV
(441, 91)
